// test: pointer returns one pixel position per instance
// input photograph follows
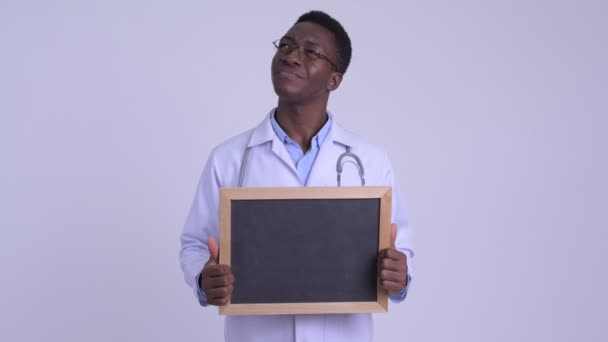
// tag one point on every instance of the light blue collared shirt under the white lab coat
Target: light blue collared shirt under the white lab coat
(302, 161)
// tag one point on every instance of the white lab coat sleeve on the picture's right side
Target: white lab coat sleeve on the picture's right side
(404, 232)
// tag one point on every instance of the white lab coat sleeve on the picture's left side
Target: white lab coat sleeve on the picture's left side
(201, 223)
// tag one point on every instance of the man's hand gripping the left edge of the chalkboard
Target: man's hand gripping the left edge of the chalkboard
(216, 280)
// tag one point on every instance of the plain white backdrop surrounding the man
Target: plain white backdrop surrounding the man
(495, 114)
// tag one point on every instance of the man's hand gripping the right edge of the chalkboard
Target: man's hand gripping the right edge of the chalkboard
(392, 266)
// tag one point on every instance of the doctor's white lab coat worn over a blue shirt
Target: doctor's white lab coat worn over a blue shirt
(269, 165)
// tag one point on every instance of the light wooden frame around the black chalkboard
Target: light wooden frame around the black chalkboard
(227, 195)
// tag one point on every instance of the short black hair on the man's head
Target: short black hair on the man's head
(340, 35)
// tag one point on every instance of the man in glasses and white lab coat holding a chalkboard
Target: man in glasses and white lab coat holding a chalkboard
(297, 144)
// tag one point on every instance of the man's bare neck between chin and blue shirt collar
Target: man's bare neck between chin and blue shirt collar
(301, 121)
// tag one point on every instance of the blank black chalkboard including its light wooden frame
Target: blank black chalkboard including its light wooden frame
(304, 250)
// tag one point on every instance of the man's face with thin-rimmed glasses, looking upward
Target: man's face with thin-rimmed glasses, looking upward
(300, 77)
